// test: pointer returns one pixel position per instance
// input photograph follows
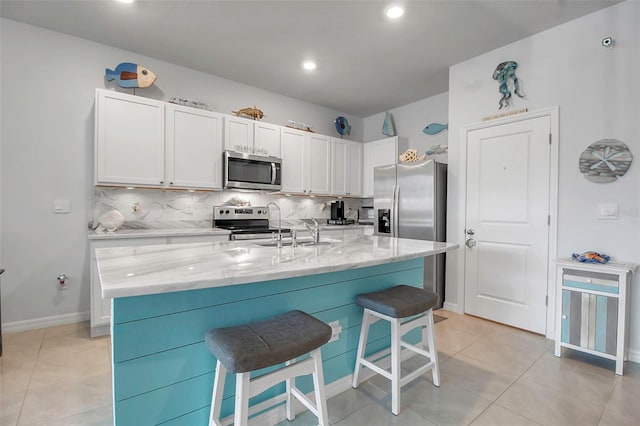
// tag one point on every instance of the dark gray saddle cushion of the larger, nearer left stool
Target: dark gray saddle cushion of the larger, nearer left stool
(262, 344)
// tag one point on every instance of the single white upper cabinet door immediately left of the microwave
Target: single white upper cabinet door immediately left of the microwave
(193, 148)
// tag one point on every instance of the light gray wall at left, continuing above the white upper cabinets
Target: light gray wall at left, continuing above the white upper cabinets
(48, 83)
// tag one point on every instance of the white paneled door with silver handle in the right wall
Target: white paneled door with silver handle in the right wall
(507, 223)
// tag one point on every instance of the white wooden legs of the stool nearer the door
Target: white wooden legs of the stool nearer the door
(398, 329)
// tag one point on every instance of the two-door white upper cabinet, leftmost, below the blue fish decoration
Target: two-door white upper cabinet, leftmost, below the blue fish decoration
(143, 142)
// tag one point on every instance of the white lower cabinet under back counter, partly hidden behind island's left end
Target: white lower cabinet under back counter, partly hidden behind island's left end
(101, 308)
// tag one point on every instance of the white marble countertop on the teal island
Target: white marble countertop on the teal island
(134, 271)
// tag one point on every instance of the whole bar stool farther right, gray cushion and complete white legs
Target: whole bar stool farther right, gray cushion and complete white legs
(396, 305)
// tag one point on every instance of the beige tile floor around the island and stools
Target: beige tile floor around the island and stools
(491, 375)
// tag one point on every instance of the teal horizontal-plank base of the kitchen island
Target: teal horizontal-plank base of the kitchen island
(163, 372)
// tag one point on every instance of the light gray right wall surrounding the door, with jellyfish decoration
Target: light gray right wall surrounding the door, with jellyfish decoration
(598, 96)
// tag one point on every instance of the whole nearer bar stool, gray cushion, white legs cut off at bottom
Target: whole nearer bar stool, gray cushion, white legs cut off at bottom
(258, 345)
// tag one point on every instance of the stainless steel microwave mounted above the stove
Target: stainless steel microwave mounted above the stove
(246, 171)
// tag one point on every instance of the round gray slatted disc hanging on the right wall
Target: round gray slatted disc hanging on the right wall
(605, 160)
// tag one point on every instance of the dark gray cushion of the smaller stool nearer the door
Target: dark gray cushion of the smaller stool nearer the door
(399, 302)
